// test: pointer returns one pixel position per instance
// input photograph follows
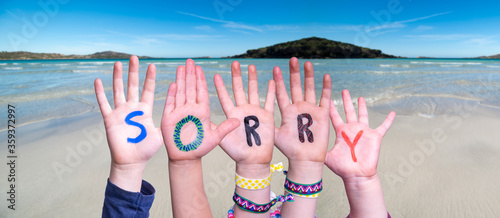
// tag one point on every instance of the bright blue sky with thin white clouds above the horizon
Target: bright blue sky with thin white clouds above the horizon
(227, 27)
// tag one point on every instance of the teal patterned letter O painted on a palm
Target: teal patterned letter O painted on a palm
(177, 134)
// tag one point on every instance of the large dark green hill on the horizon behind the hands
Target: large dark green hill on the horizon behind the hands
(314, 47)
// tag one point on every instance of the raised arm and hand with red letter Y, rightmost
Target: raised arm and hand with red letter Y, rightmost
(355, 156)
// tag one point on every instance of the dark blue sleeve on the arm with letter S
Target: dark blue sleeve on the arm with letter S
(122, 203)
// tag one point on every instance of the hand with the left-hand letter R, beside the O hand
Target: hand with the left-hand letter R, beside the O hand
(253, 141)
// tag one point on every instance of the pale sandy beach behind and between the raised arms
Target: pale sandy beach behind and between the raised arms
(444, 166)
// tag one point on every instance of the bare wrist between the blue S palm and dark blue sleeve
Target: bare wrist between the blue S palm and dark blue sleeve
(128, 177)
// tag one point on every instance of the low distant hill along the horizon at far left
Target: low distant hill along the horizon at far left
(23, 55)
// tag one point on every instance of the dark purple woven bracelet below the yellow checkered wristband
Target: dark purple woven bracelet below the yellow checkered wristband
(252, 207)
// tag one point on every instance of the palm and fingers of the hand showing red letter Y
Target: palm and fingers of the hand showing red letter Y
(357, 147)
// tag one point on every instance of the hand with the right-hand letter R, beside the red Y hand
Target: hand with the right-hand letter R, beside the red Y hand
(303, 116)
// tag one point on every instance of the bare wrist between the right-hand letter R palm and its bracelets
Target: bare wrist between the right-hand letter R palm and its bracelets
(306, 172)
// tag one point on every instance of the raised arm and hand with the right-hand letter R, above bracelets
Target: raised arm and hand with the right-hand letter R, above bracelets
(303, 135)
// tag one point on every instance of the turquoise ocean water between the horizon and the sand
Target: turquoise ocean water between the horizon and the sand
(47, 89)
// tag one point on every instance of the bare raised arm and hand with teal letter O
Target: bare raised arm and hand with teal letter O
(189, 135)
